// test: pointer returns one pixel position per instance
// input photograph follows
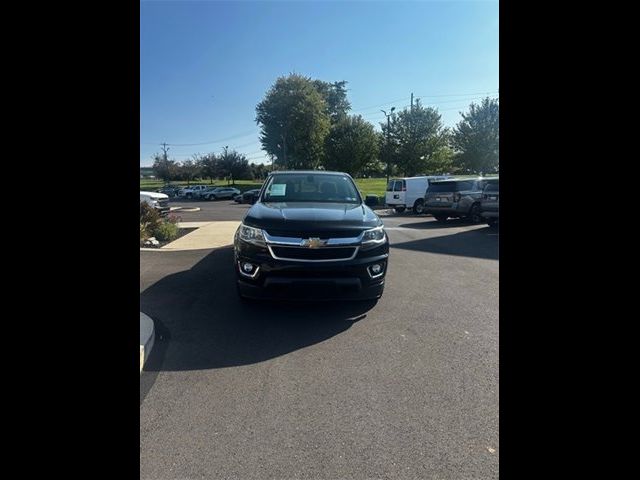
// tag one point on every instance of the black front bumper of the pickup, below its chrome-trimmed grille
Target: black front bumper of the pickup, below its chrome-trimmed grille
(297, 280)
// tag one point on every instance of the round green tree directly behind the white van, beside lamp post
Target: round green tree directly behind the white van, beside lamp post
(418, 140)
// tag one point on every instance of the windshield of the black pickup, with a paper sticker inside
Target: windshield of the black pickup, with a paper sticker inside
(310, 187)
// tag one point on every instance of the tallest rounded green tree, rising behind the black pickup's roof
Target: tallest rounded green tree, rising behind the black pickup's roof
(294, 123)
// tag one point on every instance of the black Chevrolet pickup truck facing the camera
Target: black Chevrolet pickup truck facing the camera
(310, 236)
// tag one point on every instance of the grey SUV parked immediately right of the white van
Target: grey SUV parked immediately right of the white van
(455, 198)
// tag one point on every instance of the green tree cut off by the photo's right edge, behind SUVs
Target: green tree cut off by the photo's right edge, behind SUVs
(476, 138)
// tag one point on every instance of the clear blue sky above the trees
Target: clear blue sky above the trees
(204, 65)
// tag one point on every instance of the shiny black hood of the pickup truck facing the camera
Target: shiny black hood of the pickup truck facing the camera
(300, 217)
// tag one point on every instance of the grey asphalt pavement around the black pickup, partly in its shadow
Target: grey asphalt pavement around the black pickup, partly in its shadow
(403, 388)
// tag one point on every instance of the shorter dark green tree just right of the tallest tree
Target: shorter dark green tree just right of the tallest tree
(351, 146)
